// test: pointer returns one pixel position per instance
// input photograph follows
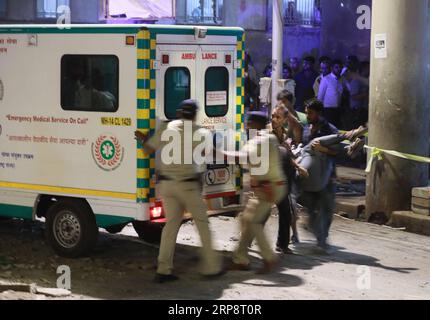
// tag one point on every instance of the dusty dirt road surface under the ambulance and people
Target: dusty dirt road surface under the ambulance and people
(365, 262)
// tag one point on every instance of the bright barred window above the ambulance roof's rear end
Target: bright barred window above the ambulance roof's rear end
(202, 12)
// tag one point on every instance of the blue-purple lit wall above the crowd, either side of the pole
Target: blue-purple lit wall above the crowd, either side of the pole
(338, 36)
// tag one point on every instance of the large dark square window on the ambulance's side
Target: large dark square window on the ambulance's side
(90, 83)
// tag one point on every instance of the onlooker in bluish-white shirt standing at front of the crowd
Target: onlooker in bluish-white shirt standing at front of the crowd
(330, 93)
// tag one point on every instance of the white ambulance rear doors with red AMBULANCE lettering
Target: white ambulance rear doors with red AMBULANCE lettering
(207, 74)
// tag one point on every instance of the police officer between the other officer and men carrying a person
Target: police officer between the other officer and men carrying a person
(268, 187)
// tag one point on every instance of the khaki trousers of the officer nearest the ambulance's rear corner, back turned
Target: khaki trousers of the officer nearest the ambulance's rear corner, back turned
(179, 197)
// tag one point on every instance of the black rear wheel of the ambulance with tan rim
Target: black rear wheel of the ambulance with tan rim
(71, 228)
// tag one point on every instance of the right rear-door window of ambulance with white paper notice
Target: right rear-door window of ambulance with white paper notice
(216, 91)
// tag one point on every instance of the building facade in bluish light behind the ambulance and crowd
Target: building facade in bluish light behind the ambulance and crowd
(311, 27)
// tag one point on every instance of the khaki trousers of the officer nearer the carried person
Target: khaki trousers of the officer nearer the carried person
(253, 219)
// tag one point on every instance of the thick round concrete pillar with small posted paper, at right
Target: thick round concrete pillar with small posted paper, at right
(399, 110)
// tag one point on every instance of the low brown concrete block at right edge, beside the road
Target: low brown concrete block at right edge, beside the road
(412, 222)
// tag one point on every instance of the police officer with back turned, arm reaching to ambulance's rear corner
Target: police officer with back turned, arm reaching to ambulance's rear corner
(180, 190)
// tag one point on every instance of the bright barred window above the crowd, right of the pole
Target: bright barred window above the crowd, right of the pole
(302, 12)
